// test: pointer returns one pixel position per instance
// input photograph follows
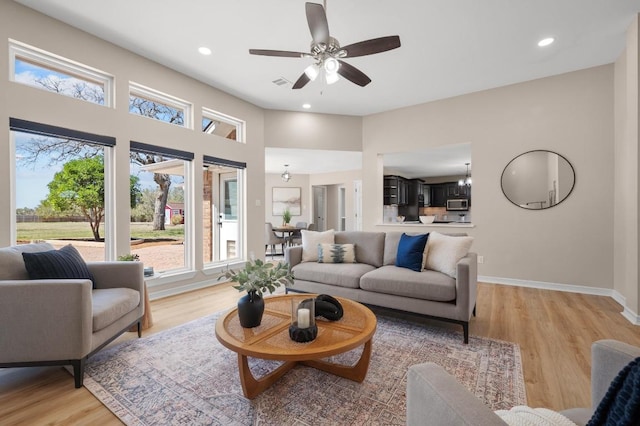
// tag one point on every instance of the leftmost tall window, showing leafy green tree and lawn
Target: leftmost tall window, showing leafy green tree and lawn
(60, 190)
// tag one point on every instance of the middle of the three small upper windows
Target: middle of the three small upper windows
(159, 106)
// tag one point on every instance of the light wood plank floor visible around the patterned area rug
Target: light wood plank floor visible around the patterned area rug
(554, 330)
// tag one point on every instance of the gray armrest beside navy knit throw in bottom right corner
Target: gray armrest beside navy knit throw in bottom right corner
(608, 357)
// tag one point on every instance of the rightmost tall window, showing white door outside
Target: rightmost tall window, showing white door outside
(222, 210)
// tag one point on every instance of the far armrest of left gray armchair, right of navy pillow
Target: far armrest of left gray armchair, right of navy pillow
(118, 274)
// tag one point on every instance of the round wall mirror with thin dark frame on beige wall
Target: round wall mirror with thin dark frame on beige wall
(538, 180)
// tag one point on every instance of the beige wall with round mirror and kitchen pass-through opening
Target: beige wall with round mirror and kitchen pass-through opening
(572, 114)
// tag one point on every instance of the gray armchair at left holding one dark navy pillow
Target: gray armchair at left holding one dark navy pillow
(64, 321)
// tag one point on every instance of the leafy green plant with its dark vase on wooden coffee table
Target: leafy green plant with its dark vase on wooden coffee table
(255, 278)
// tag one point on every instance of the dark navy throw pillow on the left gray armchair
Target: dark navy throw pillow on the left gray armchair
(65, 263)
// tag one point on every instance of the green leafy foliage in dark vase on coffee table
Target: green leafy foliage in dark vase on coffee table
(257, 277)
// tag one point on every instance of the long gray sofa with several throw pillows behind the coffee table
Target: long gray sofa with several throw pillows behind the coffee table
(374, 279)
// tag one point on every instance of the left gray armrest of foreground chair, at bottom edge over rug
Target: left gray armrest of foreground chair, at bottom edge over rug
(434, 397)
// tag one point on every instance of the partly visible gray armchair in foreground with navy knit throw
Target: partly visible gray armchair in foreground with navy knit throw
(435, 395)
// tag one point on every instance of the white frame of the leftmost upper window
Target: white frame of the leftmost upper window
(57, 63)
